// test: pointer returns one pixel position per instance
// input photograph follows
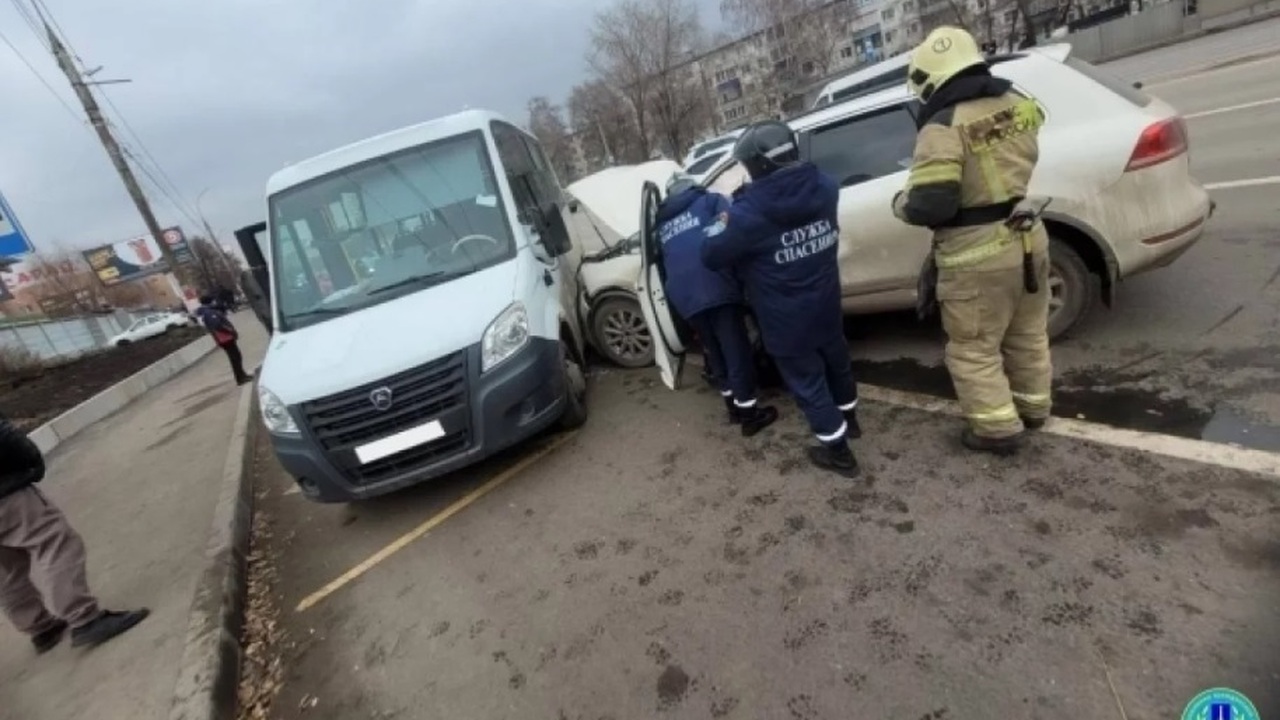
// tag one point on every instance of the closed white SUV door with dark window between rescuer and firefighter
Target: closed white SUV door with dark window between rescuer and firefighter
(870, 156)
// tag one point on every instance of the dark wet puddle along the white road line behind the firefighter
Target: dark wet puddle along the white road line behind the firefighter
(1092, 398)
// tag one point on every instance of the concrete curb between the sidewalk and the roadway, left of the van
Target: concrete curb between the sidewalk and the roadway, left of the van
(209, 672)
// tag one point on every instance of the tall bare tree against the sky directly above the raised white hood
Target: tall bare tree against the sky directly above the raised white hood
(643, 51)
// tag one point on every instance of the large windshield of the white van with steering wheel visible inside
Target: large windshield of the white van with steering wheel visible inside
(385, 229)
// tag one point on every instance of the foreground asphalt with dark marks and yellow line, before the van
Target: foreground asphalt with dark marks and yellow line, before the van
(659, 564)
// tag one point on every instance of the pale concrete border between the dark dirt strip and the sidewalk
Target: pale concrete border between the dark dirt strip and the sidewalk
(116, 398)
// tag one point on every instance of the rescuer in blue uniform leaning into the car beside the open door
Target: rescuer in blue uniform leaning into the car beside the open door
(711, 302)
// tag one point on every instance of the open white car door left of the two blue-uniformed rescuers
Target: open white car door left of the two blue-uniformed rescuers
(669, 350)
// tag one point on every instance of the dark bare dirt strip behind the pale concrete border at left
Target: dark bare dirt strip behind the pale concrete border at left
(33, 402)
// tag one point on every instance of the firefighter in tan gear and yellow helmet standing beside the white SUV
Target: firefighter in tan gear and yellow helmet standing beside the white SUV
(973, 161)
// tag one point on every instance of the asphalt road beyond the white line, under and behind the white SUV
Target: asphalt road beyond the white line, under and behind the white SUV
(1192, 349)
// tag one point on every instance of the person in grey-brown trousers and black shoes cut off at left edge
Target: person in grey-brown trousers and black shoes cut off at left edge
(35, 536)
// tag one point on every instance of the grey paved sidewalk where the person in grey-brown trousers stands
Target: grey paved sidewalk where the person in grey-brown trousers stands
(141, 489)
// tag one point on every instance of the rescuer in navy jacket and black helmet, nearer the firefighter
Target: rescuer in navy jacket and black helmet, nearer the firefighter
(781, 235)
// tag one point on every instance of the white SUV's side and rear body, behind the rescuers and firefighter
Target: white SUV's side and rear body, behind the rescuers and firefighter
(1113, 160)
